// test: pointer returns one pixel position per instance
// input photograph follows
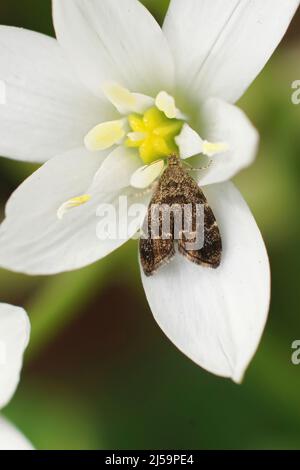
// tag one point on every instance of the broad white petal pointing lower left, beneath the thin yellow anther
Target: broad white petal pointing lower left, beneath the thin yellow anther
(32, 238)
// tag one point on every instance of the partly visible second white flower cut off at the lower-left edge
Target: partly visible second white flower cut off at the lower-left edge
(14, 337)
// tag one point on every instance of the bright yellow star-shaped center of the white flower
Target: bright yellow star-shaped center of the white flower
(153, 134)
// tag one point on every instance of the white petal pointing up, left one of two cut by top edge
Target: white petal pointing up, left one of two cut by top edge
(109, 40)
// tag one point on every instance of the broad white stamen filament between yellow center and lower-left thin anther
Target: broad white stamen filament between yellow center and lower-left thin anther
(116, 171)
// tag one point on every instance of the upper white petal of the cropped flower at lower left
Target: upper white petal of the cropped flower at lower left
(14, 337)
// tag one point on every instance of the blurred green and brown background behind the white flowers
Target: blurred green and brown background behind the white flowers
(99, 373)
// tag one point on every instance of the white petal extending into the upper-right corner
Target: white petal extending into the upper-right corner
(221, 46)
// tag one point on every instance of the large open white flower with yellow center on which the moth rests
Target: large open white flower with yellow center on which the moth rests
(114, 93)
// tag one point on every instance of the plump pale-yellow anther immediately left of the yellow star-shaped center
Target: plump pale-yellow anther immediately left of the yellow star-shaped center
(105, 135)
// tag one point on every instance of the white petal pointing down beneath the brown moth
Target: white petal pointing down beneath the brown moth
(216, 317)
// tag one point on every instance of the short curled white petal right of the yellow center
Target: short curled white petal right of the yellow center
(229, 124)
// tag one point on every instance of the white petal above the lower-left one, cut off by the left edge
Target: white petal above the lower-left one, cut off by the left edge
(46, 111)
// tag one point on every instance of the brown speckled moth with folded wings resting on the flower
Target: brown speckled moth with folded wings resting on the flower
(177, 189)
